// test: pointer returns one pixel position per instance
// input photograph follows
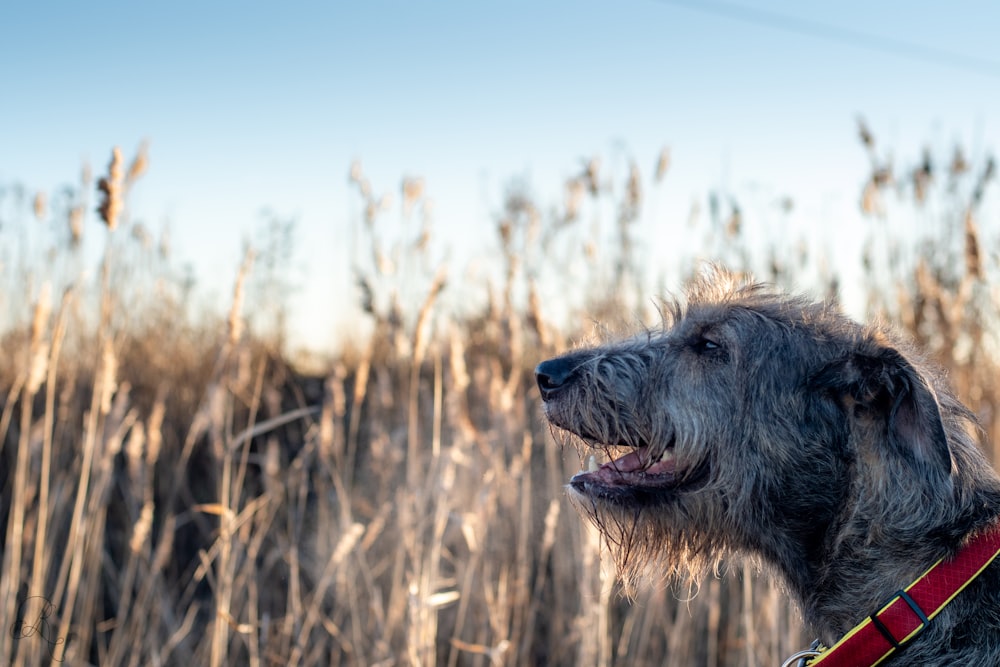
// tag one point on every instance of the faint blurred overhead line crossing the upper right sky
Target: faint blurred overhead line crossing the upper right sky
(810, 28)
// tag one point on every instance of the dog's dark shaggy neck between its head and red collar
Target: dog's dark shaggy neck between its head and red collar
(883, 529)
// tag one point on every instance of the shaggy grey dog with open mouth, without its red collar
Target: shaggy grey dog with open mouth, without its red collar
(827, 451)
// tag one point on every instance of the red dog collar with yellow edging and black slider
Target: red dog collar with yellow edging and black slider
(910, 611)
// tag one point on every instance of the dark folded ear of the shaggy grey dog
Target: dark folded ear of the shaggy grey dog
(882, 388)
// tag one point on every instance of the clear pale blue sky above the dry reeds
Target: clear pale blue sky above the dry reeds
(251, 105)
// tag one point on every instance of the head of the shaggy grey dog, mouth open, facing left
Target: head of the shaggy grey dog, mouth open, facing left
(751, 422)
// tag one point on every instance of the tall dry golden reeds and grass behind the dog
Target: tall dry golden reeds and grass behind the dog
(174, 492)
